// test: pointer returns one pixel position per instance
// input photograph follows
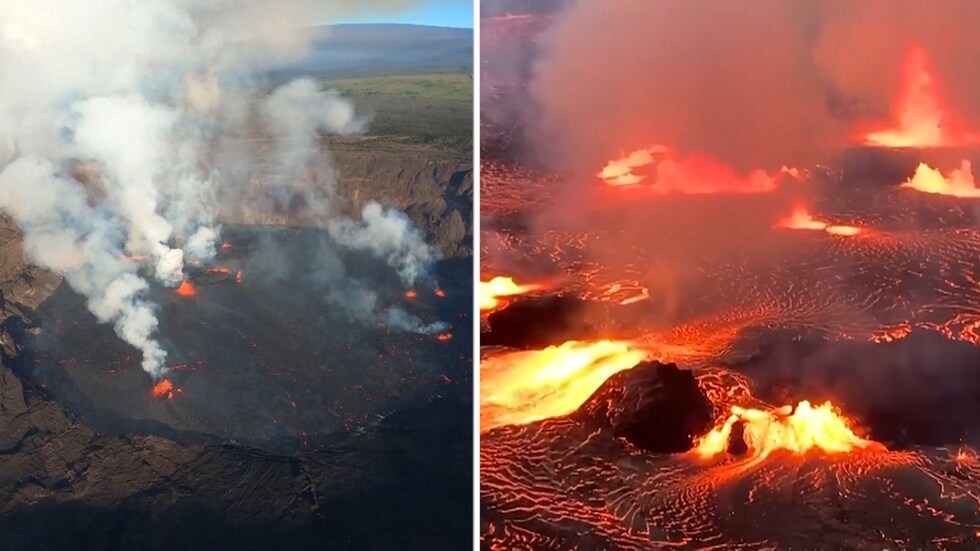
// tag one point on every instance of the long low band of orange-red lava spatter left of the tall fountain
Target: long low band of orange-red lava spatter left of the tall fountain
(692, 174)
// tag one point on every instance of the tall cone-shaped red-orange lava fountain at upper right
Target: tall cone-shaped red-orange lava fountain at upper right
(921, 118)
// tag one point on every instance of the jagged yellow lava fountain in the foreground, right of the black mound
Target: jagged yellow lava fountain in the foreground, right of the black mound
(798, 431)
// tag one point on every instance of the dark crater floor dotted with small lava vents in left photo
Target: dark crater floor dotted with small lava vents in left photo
(268, 350)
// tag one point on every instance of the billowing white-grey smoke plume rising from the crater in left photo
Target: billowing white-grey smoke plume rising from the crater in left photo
(123, 135)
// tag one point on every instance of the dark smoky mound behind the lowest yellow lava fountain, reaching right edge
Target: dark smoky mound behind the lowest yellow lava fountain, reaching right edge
(921, 390)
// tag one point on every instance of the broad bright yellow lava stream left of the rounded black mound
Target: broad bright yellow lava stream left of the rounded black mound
(529, 385)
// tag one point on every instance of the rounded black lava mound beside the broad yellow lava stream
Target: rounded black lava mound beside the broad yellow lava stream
(656, 407)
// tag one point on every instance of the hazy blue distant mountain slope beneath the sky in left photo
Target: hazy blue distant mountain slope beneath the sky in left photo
(361, 50)
